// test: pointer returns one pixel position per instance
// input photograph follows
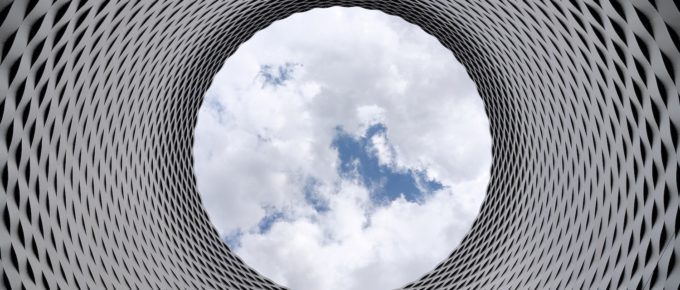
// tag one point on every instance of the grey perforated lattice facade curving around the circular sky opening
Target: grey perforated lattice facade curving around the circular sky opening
(100, 98)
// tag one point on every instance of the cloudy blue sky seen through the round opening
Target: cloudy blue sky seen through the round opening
(342, 148)
